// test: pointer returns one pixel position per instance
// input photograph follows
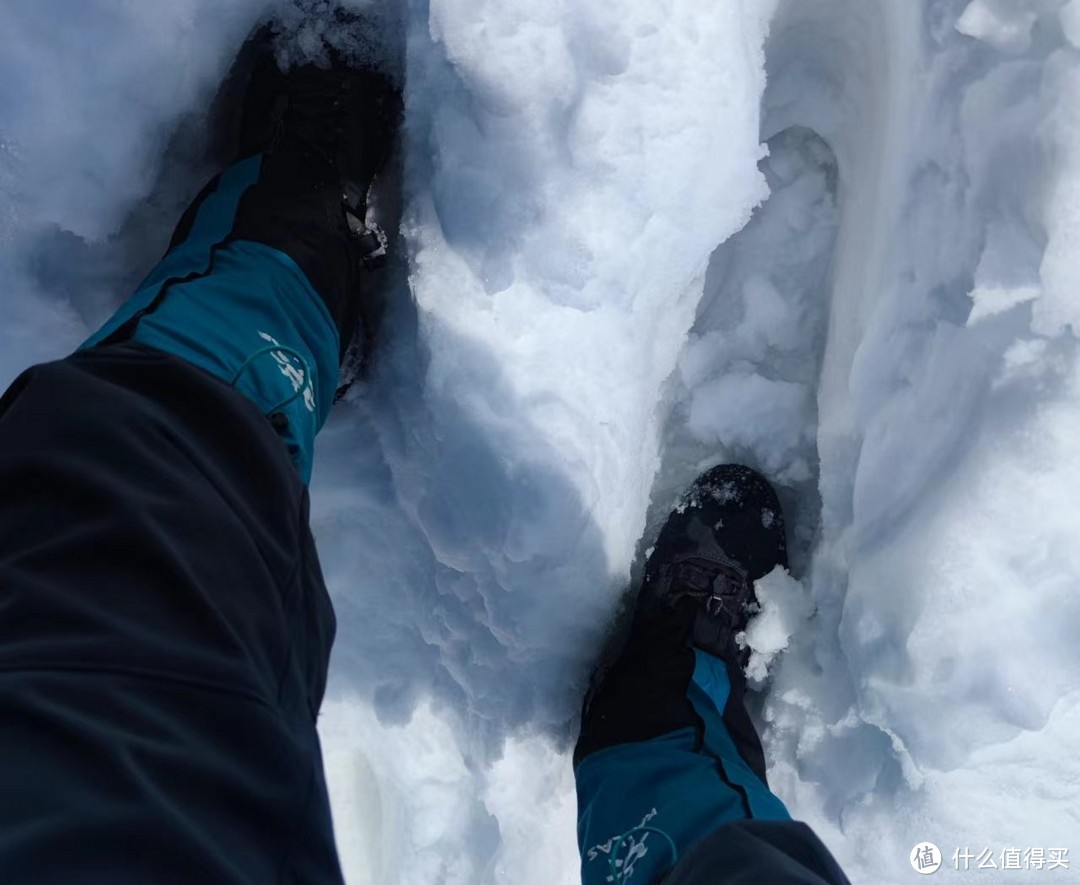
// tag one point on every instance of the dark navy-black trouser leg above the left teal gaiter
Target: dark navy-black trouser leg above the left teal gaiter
(165, 634)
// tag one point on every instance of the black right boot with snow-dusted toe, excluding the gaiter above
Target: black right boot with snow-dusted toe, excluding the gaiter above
(726, 533)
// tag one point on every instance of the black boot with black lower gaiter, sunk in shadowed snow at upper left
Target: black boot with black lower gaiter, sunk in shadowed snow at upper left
(327, 132)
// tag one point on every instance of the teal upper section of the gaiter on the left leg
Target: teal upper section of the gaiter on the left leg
(244, 312)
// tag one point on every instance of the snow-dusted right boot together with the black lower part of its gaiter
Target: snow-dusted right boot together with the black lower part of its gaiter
(726, 533)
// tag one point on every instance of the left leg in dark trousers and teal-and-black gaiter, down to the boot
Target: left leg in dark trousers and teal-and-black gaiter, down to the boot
(166, 632)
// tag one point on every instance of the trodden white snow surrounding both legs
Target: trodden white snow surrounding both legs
(614, 286)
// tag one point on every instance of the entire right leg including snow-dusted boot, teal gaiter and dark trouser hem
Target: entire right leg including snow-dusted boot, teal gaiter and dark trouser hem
(669, 760)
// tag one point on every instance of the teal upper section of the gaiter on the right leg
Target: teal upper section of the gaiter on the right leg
(642, 806)
